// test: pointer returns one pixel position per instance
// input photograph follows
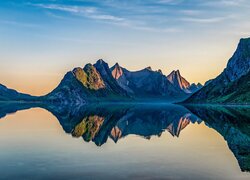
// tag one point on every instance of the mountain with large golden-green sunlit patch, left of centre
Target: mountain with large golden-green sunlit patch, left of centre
(83, 85)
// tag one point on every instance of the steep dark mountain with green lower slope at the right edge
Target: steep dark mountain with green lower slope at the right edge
(233, 84)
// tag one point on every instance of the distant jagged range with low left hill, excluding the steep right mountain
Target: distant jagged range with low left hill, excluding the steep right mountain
(99, 82)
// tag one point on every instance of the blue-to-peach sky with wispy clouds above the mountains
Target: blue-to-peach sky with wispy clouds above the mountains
(41, 40)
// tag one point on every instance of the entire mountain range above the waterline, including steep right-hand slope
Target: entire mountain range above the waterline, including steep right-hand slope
(99, 82)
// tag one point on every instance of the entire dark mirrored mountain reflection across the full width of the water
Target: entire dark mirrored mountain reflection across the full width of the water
(98, 123)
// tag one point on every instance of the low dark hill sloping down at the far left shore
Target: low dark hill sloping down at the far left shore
(7, 94)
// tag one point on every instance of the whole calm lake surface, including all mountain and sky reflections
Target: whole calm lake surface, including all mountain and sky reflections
(124, 142)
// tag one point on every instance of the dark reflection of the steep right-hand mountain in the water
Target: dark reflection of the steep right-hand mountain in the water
(233, 123)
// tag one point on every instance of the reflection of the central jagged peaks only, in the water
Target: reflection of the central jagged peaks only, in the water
(97, 123)
